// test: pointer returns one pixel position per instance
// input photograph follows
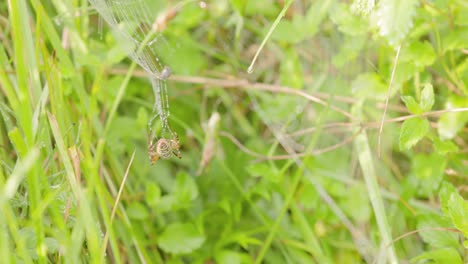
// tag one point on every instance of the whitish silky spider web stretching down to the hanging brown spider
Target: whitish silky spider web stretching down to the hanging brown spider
(132, 22)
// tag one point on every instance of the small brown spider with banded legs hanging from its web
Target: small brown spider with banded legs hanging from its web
(164, 149)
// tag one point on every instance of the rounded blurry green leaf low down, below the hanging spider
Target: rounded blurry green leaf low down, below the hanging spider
(179, 238)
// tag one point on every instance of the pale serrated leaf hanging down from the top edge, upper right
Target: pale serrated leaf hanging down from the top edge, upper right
(395, 18)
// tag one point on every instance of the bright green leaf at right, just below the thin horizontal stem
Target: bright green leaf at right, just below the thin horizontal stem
(412, 131)
